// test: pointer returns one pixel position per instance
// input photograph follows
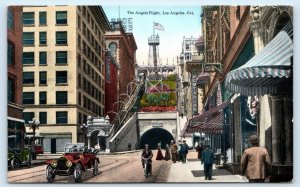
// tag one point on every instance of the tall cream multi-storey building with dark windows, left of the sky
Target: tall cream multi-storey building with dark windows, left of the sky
(63, 70)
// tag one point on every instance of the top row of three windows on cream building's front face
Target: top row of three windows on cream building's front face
(28, 18)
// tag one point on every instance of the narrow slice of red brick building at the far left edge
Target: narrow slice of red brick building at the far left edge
(16, 130)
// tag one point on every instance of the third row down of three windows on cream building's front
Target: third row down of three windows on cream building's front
(61, 58)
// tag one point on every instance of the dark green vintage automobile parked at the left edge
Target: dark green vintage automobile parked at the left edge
(17, 157)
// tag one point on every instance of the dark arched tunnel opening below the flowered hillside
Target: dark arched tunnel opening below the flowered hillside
(153, 136)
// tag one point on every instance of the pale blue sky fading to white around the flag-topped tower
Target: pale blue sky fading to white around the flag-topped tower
(175, 26)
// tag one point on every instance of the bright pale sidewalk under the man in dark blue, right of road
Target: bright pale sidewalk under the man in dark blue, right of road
(192, 171)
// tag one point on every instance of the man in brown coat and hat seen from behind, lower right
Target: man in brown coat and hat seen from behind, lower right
(255, 162)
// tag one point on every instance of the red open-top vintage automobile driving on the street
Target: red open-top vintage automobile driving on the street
(75, 160)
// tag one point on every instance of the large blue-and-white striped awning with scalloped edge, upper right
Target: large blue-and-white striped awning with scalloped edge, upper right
(268, 70)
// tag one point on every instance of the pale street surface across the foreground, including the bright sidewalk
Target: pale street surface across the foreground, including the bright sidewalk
(127, 168)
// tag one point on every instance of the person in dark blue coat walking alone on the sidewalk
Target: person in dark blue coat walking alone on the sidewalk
(207, 160)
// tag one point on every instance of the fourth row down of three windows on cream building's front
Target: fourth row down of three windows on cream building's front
(61, 77)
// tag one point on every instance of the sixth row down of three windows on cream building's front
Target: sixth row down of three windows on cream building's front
(61, 117)
